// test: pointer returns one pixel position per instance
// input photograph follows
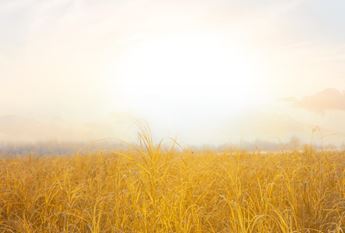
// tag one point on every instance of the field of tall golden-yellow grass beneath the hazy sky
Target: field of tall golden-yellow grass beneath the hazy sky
(155, 190)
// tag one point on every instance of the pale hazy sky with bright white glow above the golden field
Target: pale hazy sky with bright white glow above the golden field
(202, 72)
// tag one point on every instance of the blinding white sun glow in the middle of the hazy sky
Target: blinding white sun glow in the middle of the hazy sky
(192, 73)
